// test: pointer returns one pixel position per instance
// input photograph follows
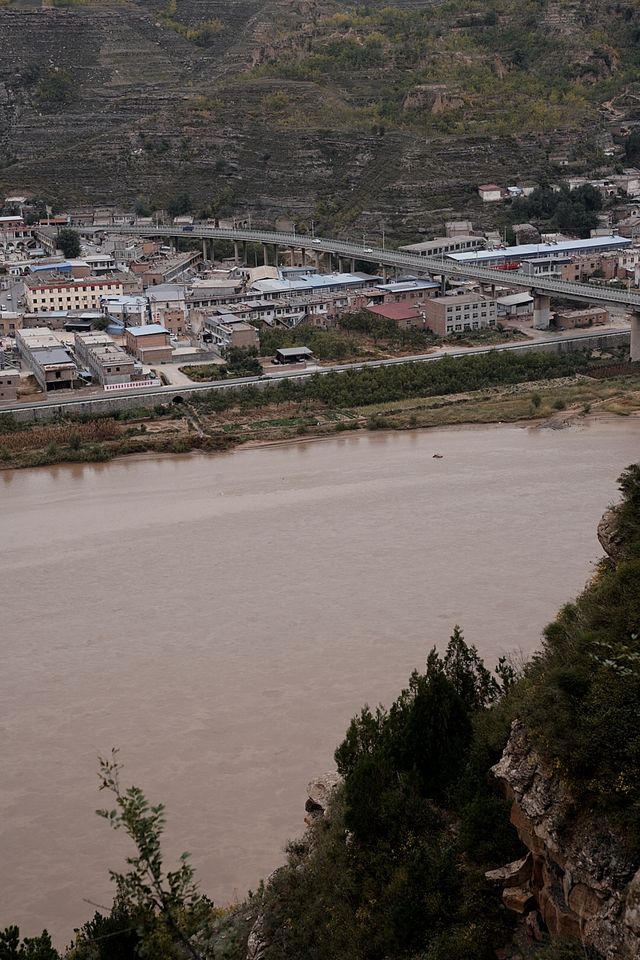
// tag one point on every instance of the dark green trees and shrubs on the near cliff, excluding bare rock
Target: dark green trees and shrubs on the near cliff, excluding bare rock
(395, 867)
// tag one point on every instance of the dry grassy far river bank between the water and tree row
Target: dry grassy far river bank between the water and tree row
(185, 427)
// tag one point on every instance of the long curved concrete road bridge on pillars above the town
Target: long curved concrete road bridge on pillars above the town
(543, 288)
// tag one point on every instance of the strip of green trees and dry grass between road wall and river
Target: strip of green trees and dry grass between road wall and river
(493, 387)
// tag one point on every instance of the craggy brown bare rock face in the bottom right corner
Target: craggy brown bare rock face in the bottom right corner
(576, 879)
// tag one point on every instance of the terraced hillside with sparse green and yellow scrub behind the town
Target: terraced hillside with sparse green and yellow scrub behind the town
(380, 114)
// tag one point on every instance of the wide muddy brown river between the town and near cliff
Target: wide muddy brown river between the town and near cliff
(220, 619)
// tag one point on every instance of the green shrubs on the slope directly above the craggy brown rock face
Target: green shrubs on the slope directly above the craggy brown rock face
(583, 690)
